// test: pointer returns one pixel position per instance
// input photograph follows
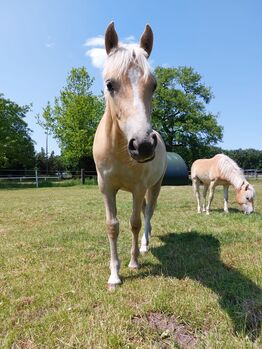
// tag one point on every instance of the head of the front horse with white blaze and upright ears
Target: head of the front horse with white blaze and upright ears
(128, 92)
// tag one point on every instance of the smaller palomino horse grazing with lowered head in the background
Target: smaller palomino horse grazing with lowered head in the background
(221, 170)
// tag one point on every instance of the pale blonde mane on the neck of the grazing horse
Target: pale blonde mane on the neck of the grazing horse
(231, 171)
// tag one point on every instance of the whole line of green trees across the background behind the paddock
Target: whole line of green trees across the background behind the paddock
(179, 113)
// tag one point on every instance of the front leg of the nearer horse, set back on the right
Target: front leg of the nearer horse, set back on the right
(135, 223)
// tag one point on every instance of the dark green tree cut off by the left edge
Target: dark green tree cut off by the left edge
(16, 145)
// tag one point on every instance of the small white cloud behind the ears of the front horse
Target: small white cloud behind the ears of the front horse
(96, 51)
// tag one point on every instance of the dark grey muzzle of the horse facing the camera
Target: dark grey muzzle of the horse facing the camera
(143, 151)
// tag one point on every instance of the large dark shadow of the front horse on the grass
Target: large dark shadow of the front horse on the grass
(197, 256)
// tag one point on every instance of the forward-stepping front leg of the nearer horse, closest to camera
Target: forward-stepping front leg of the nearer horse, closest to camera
(112, 231)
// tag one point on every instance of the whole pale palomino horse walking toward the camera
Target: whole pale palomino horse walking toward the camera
(128, 153)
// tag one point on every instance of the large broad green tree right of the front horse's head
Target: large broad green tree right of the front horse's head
(180, 115)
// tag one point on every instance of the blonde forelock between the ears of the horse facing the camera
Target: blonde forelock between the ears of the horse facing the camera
(119, 60)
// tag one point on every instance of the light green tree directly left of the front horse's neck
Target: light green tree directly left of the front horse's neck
(74, 118)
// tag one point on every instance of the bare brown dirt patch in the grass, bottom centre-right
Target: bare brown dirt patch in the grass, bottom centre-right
(170, 330)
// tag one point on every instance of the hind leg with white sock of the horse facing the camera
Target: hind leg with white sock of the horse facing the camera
(151, 199)
